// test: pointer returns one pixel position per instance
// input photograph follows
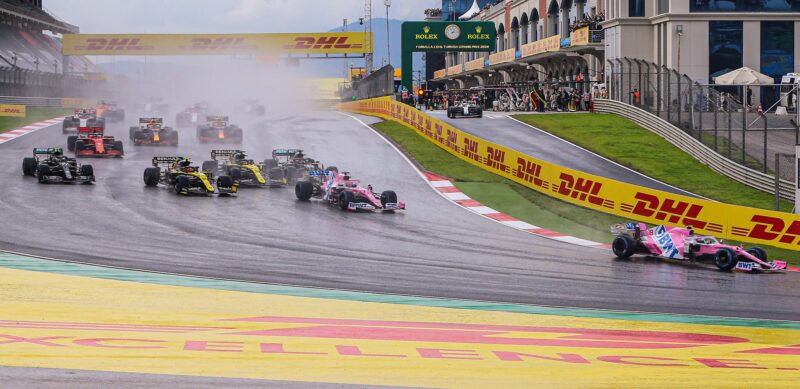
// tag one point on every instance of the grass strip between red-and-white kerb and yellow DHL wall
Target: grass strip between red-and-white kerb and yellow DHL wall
(514, 199)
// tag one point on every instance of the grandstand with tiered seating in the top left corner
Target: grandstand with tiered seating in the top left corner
(31, 63)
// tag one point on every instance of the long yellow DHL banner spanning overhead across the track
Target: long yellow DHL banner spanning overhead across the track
(214, 44)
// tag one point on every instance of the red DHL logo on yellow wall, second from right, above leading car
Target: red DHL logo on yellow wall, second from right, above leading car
(672, 211)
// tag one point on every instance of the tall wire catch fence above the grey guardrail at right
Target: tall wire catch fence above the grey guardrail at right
(718, 116)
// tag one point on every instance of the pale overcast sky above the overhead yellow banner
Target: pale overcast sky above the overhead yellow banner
(224, 16)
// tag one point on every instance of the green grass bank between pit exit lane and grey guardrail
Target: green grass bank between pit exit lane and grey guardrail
(626, 143)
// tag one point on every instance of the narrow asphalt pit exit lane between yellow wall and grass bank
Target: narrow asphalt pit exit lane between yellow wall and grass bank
(499, 128)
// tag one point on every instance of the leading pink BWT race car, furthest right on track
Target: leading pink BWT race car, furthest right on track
(683, 244)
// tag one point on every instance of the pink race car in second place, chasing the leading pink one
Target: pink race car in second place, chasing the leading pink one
(338, 189)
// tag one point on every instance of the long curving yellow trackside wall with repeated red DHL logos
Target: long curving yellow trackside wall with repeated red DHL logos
(630, 202)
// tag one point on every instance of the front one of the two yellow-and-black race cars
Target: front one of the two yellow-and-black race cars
(179, 174)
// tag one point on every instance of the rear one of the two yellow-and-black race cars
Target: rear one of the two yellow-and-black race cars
(244, 171)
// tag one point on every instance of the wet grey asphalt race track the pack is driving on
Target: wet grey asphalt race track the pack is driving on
(435, 248)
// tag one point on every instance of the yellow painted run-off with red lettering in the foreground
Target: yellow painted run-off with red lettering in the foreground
(58, 321)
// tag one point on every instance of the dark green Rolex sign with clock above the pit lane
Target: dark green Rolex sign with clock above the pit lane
(449, 36)
